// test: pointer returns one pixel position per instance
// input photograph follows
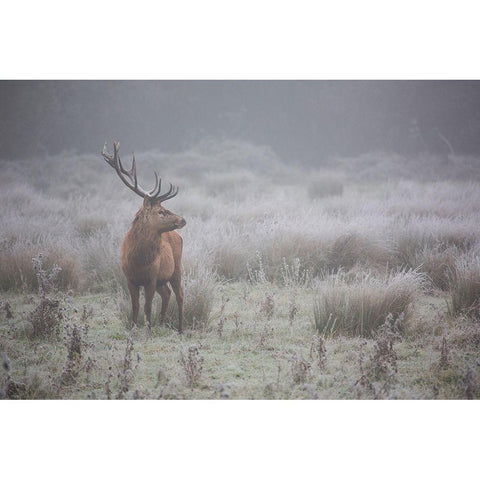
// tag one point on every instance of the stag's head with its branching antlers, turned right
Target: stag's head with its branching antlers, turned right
(152, 213)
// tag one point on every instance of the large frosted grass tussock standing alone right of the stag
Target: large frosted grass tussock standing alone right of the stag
(360, 307)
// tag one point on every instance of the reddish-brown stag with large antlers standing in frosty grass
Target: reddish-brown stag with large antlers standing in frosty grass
(151, 251)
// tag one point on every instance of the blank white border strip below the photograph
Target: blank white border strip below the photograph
(229, 439)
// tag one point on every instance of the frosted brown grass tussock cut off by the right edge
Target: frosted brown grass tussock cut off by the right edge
(464, 285)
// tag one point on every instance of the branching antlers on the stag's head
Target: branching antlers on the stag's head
(129, 177)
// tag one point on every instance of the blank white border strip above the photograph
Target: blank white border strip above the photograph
(248, 39)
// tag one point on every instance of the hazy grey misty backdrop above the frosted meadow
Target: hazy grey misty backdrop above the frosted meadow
(305, 122)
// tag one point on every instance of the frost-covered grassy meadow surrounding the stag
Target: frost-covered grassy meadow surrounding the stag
(359, 279)
